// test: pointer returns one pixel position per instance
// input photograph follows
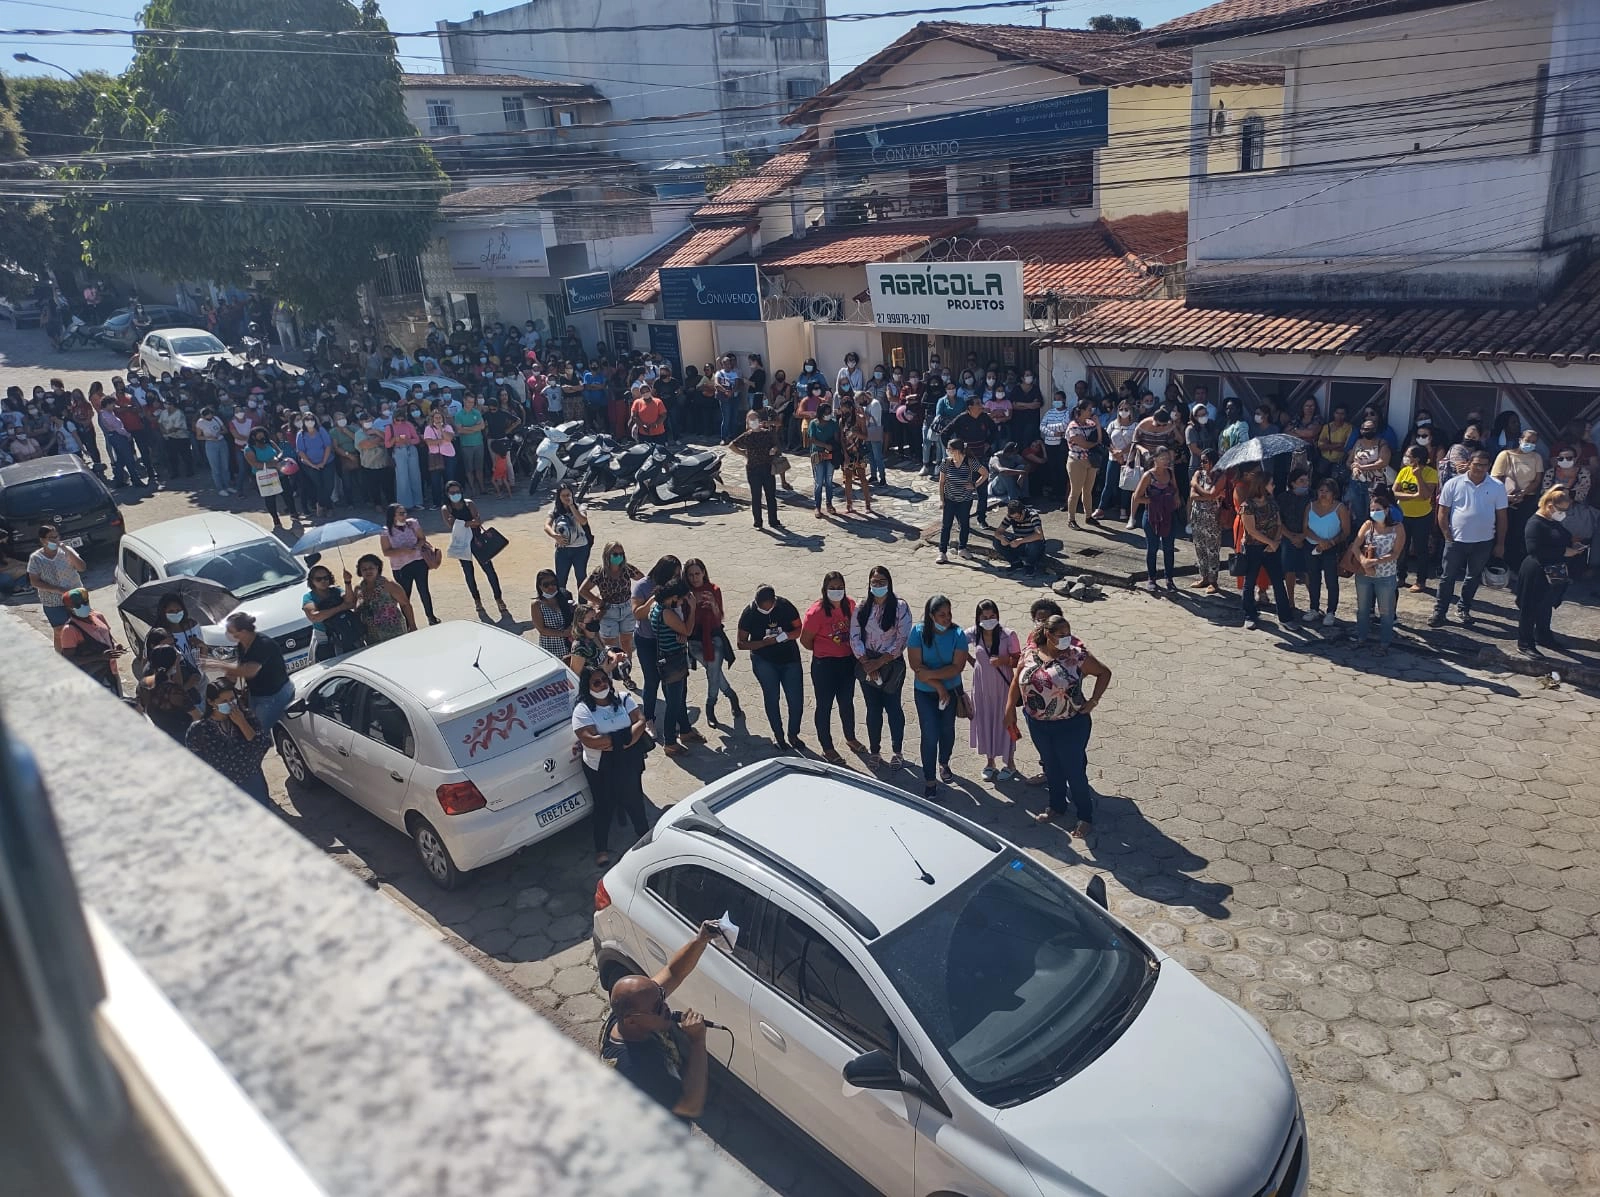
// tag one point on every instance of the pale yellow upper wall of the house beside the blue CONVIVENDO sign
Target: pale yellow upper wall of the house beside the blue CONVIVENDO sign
(1146, 166)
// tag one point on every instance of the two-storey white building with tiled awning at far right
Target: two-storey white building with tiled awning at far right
(1420, 230)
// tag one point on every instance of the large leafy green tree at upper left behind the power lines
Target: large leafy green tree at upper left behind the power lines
(319, 217)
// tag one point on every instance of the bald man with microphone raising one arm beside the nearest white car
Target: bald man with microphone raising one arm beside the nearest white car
(639, 1036)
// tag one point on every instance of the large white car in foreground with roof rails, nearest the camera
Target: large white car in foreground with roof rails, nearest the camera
(938, 1011)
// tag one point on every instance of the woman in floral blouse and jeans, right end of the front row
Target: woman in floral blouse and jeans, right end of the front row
(1049, 687)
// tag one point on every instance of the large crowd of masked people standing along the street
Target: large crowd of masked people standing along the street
(1353, 502)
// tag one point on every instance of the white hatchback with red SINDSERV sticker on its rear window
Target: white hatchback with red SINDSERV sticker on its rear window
(460, 735)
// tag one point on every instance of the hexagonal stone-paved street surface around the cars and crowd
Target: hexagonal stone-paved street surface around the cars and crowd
(1393, 863)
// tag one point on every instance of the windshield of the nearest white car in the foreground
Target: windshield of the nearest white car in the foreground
(1017, 980)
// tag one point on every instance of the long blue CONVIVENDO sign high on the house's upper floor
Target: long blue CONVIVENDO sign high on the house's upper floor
(1079, 121)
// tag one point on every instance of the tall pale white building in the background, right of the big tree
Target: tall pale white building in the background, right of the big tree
(679, 95)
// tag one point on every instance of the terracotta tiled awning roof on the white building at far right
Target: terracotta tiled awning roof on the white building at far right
(1564, 329)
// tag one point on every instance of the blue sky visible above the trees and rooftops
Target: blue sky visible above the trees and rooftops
(849, 42)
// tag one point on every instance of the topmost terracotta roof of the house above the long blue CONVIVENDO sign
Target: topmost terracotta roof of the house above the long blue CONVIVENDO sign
(1110, 60)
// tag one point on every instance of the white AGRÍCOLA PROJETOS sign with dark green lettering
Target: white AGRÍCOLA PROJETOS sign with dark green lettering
(948, 297)
